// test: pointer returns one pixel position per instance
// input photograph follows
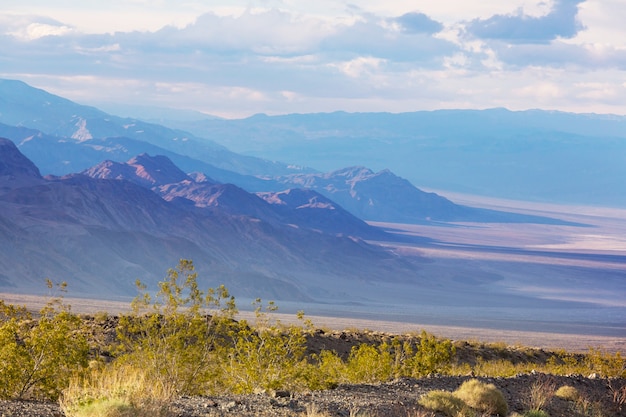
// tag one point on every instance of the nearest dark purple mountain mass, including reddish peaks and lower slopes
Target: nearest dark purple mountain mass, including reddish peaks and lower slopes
(102, 234)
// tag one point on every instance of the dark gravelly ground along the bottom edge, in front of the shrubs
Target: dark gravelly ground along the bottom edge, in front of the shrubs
(397, 398)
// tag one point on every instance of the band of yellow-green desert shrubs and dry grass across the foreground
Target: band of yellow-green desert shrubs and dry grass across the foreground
(185, 341)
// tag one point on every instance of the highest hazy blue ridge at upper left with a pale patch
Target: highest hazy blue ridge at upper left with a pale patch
(25, 106)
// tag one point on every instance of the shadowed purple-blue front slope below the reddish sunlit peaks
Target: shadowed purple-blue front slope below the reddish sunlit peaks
(102, 234)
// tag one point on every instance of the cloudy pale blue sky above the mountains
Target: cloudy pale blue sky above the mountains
(235, 58)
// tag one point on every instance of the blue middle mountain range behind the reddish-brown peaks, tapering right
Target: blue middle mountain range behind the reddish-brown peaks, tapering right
(77, 137)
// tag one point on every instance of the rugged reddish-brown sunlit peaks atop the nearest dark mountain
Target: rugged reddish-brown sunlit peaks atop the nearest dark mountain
(160, 175)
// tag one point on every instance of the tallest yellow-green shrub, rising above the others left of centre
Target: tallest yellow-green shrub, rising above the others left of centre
(177, 339)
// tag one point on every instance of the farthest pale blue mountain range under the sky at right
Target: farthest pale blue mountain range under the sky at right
(530, 155)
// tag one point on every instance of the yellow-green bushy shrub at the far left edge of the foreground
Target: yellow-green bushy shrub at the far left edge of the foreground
(38, 356)
